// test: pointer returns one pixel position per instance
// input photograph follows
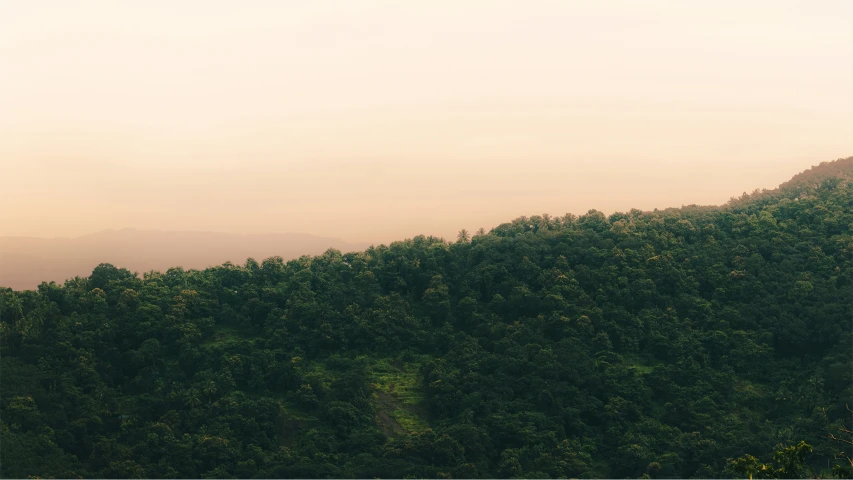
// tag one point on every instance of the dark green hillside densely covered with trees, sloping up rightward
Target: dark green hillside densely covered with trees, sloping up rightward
(658, 344)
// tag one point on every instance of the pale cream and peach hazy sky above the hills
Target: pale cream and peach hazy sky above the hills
(376, 121)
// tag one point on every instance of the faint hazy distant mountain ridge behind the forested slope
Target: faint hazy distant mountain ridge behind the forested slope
(25, 261)
